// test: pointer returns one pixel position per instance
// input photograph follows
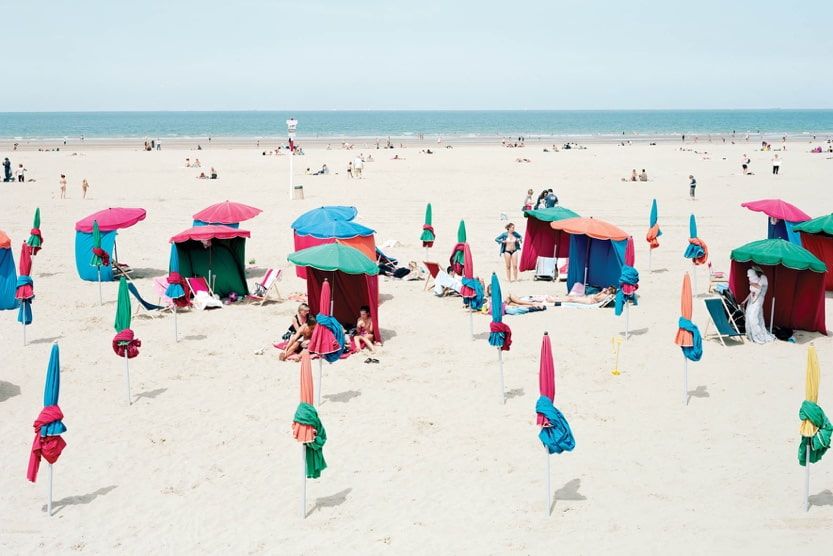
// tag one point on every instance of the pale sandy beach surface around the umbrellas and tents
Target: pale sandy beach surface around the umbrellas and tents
(423, 457)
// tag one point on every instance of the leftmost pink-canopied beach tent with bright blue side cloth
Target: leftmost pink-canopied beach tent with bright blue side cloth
(109, 221)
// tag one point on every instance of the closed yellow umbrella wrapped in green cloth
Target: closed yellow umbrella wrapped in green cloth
(816, 429)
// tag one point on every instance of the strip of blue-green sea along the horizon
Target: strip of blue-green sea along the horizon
(412, 124)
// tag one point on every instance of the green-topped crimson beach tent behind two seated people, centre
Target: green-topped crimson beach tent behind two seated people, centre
(353, 281)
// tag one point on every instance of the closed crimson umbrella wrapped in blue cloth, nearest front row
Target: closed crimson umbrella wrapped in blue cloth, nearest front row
(555, 433)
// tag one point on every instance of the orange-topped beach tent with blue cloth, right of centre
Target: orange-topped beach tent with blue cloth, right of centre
(597, 251)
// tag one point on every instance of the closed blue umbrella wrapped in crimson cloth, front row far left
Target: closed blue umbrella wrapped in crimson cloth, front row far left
(49, 426)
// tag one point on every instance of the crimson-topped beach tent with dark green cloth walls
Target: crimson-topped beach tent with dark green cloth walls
(215, 252)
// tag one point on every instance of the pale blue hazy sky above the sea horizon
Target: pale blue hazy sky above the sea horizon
(455, 54)
